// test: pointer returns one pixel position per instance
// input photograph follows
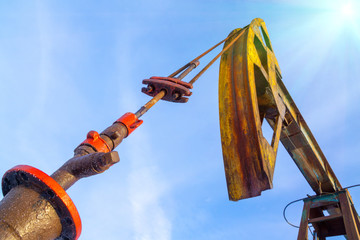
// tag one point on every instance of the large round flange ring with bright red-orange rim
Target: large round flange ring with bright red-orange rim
(41, 182)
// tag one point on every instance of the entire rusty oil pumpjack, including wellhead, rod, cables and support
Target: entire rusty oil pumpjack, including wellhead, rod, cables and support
(251, 93)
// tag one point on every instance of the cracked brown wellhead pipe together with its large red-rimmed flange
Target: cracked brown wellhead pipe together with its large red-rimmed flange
(35, 206)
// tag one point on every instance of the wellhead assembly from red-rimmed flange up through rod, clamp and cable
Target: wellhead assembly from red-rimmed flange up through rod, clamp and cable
(36, 206)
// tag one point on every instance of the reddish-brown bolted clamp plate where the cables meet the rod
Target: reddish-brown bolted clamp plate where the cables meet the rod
(175, 89)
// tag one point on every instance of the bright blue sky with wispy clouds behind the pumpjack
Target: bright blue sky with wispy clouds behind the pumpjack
(67, 67)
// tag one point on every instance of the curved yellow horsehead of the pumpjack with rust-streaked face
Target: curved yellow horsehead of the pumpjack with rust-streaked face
(249, 167)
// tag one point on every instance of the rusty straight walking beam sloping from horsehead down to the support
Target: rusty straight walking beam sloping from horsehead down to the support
(303, 148)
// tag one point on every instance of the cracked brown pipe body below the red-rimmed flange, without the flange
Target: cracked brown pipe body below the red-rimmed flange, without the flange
(26, 215)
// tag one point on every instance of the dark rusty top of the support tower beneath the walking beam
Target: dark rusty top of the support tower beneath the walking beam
(330, 215)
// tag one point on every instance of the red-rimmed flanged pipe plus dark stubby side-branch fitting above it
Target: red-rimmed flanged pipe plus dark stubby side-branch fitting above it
(36, 206)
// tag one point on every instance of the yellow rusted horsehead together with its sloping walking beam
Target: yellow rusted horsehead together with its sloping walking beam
(250, 92)
